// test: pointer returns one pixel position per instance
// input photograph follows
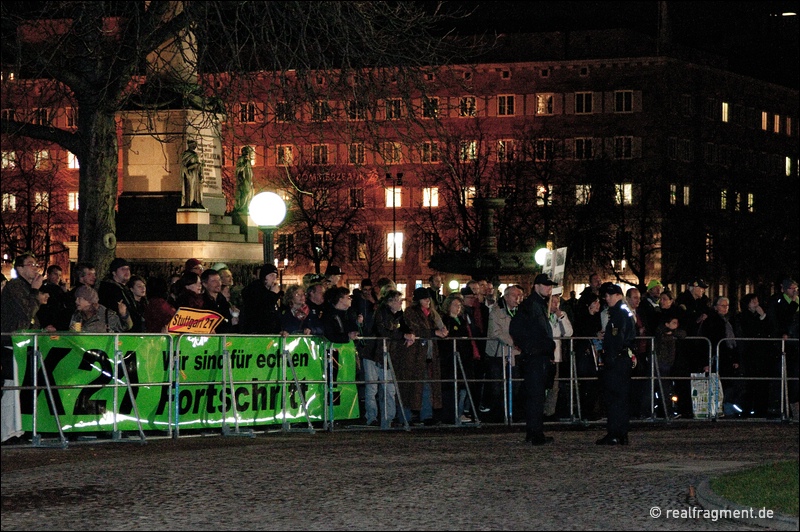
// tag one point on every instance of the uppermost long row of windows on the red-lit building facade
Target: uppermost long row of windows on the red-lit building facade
(581, 102)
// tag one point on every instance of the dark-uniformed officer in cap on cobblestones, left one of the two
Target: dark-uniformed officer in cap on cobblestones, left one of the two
(530, 329)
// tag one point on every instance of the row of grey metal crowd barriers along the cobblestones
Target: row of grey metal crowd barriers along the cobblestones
(115, 372)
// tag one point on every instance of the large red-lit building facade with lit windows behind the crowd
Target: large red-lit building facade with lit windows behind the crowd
(643, 164)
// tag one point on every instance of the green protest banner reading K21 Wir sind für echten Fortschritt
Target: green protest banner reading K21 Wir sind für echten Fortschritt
(81, 369)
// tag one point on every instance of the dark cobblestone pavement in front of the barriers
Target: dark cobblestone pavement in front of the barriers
(428, 479)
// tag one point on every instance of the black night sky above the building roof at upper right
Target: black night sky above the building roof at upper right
(755, 39)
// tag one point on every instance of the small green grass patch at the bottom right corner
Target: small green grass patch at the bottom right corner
(773, 486)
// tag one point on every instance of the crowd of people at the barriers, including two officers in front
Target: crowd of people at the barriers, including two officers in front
(448, 352)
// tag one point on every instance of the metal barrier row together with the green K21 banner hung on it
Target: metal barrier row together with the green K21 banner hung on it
(168, 383)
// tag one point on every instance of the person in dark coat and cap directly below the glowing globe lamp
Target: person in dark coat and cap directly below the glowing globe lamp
(259, 313)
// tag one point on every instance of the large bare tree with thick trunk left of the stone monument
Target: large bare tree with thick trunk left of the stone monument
(100, 57)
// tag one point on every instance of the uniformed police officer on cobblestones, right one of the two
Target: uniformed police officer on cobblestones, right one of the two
(619, 336)
